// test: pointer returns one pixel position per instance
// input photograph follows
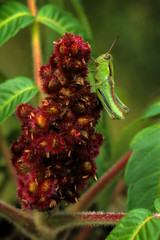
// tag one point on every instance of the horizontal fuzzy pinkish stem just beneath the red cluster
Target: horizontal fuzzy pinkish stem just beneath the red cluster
(62, 221)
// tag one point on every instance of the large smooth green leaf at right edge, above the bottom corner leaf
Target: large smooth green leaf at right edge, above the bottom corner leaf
(142, 173)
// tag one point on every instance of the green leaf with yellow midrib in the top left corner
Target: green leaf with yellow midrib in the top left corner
(13, 17)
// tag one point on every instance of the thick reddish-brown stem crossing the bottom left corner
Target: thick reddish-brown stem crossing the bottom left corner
(20, 219)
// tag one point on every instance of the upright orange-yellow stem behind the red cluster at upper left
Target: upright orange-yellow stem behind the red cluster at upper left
(36, 46)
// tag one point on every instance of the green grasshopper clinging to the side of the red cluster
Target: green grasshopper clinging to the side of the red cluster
(105, 86)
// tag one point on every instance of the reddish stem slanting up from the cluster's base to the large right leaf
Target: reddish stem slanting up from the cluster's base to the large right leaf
(89, 196)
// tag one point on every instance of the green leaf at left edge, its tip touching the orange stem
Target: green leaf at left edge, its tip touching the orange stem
(13, 92)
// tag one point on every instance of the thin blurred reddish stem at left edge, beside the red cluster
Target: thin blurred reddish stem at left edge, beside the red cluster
(6, 153)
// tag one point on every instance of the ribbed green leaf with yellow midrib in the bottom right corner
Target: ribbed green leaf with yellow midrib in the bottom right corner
(139, 224)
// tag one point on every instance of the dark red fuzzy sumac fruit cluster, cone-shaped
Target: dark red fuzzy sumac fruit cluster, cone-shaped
(54, 156)
